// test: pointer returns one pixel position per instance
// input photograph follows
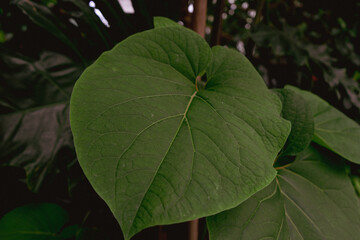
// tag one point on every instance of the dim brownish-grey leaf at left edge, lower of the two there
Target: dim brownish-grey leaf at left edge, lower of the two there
(35, 140)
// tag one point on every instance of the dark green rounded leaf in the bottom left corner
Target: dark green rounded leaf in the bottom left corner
(33, 222)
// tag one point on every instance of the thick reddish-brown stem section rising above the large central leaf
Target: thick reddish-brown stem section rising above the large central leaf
(199, 17)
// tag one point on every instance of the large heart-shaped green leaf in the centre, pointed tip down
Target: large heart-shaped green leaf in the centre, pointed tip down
(157, 150)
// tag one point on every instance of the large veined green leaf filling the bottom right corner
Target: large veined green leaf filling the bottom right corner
(312, 199)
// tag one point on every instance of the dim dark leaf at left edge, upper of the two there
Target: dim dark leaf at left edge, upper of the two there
(28, 83)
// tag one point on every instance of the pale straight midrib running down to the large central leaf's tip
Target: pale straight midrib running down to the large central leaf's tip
(171, 143)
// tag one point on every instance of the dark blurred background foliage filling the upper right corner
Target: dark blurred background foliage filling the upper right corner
(304, 43)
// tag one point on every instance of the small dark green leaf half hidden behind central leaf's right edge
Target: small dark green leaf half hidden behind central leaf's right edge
(298, 112)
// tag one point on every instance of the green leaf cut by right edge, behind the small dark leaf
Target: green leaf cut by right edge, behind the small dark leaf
(333, 129)
